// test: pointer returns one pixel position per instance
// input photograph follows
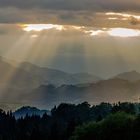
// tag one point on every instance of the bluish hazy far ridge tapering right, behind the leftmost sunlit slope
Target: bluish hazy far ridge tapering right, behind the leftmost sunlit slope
(57, 77)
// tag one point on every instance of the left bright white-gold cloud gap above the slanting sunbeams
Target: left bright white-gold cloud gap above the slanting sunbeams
(41, 27)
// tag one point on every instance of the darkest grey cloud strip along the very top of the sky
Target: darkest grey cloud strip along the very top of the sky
(94, 5)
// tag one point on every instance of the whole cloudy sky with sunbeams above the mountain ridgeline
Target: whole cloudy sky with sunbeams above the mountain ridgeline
(101, 37)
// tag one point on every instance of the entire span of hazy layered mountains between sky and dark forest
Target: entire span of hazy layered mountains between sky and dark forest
(44, 87)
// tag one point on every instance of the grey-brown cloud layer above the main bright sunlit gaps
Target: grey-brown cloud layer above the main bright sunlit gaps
(71, 12)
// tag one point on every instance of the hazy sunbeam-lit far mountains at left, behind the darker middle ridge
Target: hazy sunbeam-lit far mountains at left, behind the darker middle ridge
(17, 80)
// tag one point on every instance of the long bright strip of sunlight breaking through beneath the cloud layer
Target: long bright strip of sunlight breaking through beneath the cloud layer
(116, 32)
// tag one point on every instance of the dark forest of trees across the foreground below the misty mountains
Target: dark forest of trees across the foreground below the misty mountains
(75, 122)
